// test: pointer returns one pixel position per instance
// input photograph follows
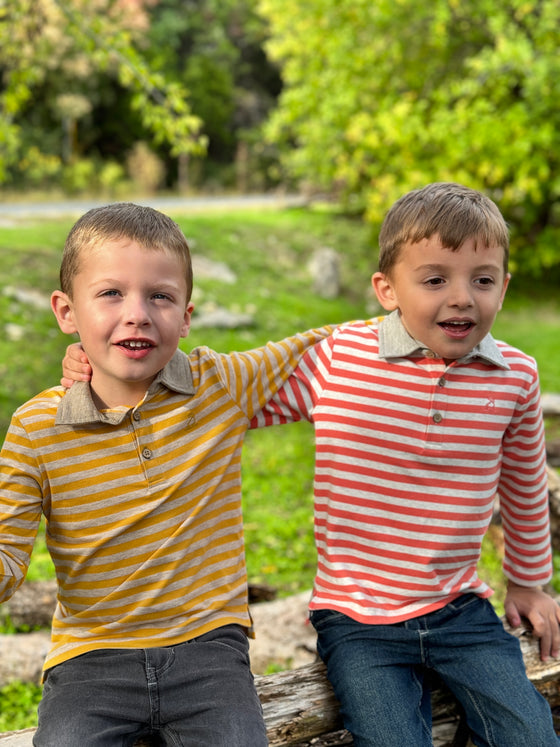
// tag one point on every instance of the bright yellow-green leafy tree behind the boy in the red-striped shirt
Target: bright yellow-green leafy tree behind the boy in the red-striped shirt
(383, 97)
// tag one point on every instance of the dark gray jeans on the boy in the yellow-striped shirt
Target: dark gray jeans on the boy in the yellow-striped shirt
(199, 693)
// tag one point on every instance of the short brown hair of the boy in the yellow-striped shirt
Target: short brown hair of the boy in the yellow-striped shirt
(150, 228)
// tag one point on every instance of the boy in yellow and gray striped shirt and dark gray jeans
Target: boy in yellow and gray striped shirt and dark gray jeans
(138, 476)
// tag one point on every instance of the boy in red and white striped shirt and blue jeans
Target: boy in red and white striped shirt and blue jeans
(421, 418)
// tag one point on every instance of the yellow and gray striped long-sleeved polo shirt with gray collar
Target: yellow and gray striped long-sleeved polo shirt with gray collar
(142, 504)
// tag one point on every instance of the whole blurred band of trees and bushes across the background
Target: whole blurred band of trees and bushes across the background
(355, 100)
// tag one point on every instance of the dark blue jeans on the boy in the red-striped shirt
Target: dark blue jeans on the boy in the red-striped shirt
(379, 674)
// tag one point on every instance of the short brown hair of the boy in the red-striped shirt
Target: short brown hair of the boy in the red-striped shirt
(454, 212)
